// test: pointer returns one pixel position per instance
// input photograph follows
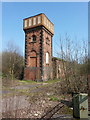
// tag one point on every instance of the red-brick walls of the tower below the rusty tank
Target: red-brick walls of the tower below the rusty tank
(35, 54)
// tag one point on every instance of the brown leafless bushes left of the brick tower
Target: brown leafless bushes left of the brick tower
(12, 63)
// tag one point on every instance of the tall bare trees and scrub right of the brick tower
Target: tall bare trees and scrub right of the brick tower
(74, 58)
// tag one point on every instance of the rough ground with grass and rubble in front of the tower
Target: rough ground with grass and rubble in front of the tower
(27, 99)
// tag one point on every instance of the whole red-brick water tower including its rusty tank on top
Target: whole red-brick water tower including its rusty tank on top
(39, 31)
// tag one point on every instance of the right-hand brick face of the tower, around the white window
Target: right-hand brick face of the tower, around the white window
(47, 48)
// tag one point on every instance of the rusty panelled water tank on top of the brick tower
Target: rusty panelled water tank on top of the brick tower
(38, 20)
